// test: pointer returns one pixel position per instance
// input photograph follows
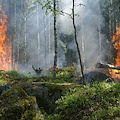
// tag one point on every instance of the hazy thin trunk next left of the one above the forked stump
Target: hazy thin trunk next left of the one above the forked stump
(25, 37)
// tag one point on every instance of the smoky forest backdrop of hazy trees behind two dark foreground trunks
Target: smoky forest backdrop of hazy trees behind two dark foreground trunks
(31, 33)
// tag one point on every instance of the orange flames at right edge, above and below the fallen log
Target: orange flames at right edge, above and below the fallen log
(116, 40)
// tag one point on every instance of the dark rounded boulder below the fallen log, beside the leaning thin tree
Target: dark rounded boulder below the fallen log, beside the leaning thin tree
(94, 76)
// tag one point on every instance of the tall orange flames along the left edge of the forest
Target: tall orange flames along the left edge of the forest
(5, 44)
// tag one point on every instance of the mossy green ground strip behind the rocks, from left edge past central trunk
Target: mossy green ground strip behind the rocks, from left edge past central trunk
(67, 74)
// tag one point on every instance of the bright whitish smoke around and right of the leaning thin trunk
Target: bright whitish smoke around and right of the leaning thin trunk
(87, 27)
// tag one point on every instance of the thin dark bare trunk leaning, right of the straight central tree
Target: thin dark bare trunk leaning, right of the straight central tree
(75, 32)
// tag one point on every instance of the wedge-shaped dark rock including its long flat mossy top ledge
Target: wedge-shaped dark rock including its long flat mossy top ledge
(47, 93)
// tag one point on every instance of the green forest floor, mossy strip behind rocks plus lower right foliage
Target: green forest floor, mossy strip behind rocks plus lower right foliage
(92, 101)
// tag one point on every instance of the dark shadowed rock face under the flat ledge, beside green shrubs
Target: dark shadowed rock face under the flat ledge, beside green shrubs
(46, 95)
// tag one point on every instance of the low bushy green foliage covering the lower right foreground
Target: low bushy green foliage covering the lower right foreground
(102, 101)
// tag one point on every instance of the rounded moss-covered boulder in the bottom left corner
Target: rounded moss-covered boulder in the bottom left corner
(15, 104)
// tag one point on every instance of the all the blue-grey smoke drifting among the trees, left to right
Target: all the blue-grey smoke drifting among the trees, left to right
(40, 35)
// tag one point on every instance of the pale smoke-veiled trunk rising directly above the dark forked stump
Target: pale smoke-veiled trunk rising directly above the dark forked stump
(38, 34)
